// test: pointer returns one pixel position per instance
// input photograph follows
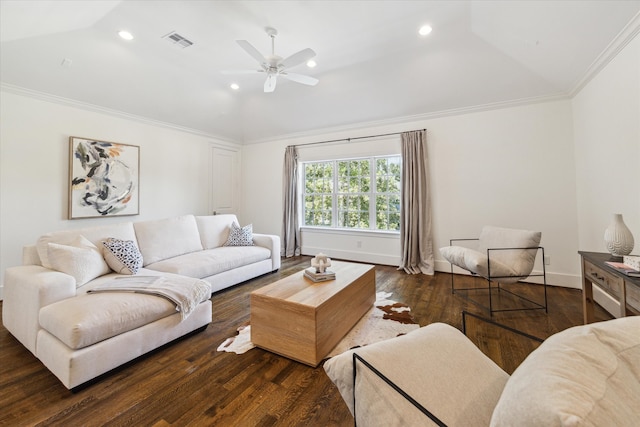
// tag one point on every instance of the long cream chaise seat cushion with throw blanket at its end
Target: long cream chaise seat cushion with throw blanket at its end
(87, 319)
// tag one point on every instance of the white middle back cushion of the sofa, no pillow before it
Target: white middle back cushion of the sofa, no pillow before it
(167, 238)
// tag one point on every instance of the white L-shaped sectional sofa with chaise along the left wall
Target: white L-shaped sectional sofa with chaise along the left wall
(79, 334)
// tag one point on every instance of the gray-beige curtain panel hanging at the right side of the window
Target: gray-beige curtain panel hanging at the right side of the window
(416, 242)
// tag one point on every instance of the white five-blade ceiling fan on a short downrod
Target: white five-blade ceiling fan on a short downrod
(274, 66)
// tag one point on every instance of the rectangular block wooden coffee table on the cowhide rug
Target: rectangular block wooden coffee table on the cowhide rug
(303, 320)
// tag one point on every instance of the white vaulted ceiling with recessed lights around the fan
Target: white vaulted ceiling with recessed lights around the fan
(372, 64)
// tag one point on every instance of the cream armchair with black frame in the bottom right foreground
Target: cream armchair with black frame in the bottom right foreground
(583, 376)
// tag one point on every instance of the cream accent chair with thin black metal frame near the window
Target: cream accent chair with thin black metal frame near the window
(503, 256)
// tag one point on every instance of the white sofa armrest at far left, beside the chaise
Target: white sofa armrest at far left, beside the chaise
(27, 289)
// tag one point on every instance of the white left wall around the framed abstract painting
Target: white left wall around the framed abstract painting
(34, 159)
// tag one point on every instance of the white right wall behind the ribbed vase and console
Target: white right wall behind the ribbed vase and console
(606, 118)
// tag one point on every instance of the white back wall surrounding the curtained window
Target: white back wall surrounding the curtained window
(512, 167)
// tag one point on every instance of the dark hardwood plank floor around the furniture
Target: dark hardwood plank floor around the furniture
(190, 383)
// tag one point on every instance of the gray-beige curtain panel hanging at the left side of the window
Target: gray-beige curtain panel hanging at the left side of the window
(290, 227)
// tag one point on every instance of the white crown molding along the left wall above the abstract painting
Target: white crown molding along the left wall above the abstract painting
(43, 96)
